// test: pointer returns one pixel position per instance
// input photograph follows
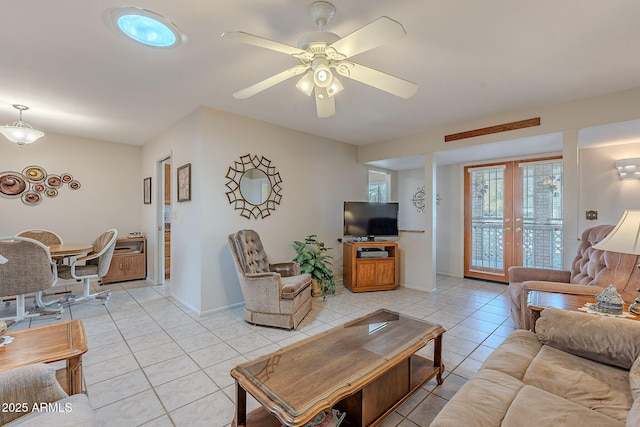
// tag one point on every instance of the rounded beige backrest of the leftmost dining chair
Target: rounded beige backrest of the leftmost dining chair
(28, 268)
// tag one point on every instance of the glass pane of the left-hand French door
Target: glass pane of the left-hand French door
(487, 218)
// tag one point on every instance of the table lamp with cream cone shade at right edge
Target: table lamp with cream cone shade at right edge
(625, 238)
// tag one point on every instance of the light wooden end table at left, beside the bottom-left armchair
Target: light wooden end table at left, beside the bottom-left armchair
(47, 344)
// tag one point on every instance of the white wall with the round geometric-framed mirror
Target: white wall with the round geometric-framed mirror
(318, 175)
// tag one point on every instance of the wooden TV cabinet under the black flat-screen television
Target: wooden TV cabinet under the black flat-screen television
(370, 274)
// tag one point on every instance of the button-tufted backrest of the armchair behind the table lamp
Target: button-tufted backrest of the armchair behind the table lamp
(603, 268)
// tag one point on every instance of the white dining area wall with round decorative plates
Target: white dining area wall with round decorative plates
(110, 195)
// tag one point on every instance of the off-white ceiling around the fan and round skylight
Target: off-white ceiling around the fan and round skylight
(471, 60)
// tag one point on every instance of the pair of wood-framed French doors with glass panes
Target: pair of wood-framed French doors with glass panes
(512, 216)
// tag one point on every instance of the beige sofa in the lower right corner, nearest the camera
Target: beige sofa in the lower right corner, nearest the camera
(578, 370)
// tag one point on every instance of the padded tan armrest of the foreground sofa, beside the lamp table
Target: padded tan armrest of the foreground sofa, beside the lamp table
(610, 340)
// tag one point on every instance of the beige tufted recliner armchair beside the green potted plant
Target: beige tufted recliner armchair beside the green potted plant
(274, 294)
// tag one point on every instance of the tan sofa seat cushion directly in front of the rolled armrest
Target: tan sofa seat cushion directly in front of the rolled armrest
(599, 387)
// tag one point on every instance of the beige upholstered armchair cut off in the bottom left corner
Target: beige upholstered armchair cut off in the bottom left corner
(33, 397)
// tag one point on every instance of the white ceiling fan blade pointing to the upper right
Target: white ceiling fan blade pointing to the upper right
(376, 33)
